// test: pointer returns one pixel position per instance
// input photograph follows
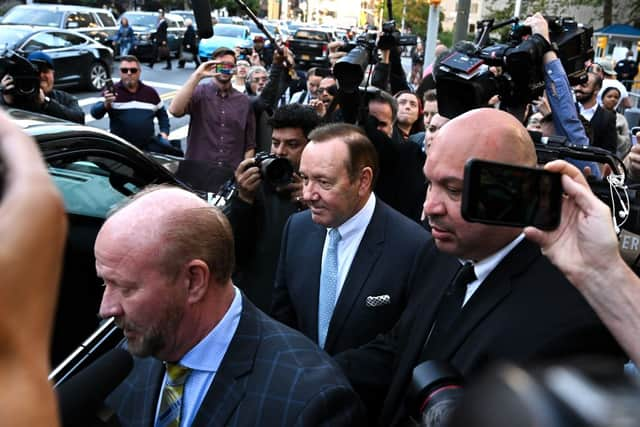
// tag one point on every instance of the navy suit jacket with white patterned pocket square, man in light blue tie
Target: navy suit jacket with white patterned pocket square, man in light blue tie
(386, 263)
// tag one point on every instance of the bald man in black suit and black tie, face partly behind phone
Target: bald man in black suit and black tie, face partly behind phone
(514, 305)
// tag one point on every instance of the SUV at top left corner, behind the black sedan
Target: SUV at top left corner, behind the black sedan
(99, 24)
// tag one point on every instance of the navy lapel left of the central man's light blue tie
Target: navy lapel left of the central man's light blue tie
(312, 250)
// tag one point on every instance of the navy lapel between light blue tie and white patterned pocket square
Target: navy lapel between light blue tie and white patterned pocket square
(366, 256)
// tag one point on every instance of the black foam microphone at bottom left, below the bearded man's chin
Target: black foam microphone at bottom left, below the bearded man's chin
(80, 397)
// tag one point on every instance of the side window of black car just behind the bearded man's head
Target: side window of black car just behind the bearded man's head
(92, 185)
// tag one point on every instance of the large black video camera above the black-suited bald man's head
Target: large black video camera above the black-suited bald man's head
(466, 79)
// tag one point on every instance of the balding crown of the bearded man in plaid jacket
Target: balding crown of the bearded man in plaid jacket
(168, 226)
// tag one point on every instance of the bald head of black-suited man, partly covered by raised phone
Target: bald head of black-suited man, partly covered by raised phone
(486, 134)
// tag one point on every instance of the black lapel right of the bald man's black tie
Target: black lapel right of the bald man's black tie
(491, 292)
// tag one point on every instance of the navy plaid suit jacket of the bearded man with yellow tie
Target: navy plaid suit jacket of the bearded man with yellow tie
(269, 373)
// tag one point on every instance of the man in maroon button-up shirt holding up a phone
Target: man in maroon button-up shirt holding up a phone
(222, 128)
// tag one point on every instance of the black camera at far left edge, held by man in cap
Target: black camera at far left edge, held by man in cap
(26, 77)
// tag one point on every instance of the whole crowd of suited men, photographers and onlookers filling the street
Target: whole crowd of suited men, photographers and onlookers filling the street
(312, 300)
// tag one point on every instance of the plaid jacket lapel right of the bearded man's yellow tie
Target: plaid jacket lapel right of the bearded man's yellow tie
(228, 387)
